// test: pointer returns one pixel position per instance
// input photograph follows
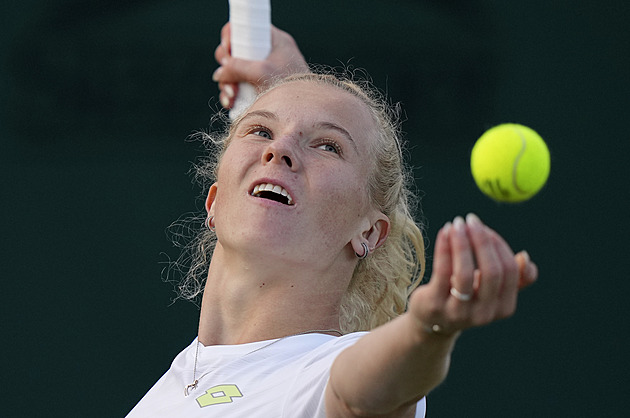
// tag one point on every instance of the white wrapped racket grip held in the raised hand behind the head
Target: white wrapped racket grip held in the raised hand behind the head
(250, 31)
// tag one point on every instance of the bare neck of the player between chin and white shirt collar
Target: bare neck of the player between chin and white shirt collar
(246, 302)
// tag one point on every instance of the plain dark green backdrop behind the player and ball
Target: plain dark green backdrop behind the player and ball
(98, 98)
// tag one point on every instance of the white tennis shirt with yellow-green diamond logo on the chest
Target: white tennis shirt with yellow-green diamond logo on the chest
(282, 378)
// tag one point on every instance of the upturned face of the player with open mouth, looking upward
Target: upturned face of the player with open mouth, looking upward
(292, 182)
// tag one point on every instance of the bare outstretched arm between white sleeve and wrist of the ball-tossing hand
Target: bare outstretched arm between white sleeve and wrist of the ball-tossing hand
(395, 365)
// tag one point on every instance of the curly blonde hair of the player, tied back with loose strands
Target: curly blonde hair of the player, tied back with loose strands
(382, 282)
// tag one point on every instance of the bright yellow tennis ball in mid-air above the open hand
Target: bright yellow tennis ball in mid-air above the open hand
(510, 162)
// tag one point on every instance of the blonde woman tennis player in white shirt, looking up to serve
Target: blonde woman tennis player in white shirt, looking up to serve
(311, 260)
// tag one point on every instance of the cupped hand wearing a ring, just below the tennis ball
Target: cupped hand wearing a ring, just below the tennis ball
(476, 278)
